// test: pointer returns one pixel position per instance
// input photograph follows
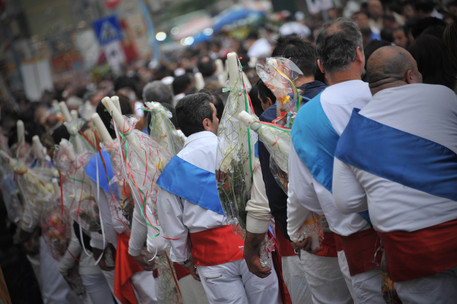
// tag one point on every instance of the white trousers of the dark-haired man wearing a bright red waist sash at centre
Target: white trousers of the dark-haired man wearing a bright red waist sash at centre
(233, 283)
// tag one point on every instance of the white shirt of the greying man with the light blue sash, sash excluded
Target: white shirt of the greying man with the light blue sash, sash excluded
(305, 193)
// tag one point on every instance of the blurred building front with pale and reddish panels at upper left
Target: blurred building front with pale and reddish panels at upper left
(50, 41)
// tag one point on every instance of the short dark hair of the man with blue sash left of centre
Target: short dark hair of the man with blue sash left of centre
(191, 110)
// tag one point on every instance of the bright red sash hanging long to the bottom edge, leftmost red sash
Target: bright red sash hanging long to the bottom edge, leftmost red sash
(126, 267)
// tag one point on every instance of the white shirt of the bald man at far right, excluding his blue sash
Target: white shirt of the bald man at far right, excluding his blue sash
(428, 111)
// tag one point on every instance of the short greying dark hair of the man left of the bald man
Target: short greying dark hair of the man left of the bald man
(337, 44)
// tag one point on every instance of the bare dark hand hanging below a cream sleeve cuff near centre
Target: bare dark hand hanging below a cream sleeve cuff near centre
(252, 254)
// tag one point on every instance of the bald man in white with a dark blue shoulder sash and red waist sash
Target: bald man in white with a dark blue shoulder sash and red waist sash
(397, 157)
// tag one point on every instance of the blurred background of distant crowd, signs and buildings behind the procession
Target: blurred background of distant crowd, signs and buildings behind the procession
(80, 51)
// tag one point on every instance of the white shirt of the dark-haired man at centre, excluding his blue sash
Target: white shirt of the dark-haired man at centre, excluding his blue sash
(178, 216)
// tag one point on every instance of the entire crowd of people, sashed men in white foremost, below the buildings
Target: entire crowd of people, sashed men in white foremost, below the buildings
(367, 215)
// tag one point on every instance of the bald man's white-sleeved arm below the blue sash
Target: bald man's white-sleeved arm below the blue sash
(349, 195)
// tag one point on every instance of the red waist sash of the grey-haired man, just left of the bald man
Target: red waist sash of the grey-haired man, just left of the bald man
(360, 249)
